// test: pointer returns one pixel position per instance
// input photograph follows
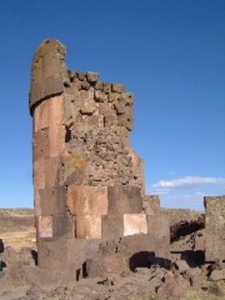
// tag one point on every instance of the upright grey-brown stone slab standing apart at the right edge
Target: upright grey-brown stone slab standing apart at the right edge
(214, 228)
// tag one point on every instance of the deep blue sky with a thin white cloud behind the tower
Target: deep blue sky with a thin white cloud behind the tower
(169, 53)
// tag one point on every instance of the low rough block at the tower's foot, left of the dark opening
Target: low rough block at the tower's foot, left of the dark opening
(102, 266)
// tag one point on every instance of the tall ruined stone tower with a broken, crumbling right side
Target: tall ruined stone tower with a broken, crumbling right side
(92, 214)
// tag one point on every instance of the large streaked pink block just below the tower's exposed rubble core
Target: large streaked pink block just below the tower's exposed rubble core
(87, 200)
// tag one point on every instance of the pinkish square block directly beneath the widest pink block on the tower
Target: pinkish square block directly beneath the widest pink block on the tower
(88, 227)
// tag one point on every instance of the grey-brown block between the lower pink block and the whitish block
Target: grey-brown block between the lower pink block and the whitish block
(112, 226)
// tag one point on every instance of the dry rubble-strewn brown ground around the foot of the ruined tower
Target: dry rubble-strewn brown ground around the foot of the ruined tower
(20, 279)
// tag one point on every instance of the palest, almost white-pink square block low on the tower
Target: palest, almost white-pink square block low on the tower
(135, 224)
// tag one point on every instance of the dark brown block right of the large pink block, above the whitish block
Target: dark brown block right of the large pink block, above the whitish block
(124, 200)
